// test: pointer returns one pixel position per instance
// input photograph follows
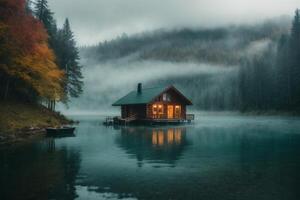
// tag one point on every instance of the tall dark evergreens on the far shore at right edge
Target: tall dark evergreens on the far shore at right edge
(272, 80)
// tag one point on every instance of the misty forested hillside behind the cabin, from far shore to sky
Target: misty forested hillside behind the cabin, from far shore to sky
(226, 68)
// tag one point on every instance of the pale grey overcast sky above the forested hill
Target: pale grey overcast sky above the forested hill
(98, 20)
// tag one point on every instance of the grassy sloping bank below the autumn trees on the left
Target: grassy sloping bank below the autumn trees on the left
(21, 120)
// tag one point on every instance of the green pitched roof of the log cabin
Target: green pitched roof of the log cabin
(146, 96)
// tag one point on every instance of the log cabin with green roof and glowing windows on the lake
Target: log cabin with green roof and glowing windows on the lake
(157, 104)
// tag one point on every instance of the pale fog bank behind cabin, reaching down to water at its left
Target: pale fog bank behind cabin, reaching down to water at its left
(107, 82)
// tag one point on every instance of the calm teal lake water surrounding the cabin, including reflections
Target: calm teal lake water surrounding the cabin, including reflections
(219, 157)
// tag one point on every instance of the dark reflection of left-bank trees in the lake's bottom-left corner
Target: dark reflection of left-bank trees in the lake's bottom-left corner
(39, 171)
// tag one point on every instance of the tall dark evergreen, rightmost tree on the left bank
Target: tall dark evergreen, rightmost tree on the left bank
(68, 57)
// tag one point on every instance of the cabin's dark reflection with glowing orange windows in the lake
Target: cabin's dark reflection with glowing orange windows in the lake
(165, 145)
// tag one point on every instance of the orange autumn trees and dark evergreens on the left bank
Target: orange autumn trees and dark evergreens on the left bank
(38, 61)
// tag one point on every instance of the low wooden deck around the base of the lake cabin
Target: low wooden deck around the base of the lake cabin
(133, 120)
